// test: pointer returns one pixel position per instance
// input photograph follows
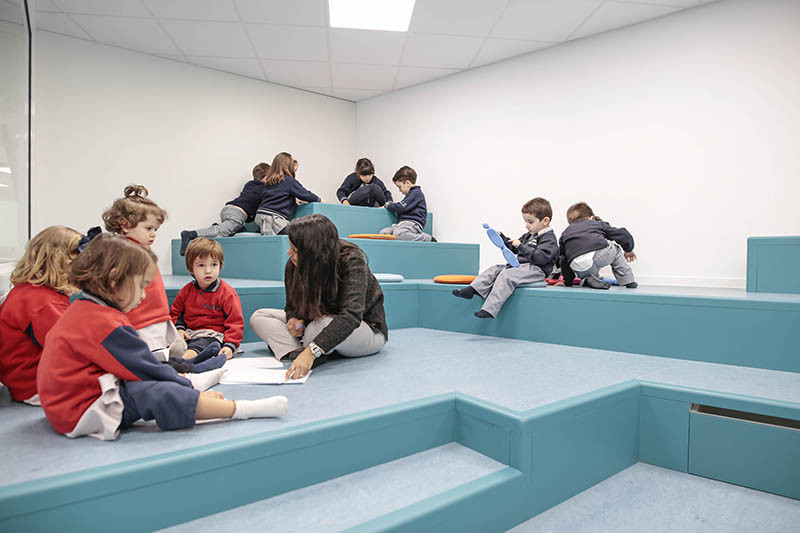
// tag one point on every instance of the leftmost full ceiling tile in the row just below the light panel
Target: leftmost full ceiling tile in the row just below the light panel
(142, 35)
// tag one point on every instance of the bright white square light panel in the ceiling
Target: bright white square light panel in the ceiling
(385, 15)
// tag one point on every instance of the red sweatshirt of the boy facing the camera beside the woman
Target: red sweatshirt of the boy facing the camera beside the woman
(217, 307)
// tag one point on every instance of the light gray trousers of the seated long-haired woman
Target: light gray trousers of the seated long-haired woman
(270, 326)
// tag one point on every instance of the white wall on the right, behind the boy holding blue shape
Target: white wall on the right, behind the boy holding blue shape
(684, 129)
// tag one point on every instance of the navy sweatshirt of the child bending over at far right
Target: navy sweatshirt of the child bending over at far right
(586, 235)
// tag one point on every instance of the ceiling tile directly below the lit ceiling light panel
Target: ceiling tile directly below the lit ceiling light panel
(366, 46)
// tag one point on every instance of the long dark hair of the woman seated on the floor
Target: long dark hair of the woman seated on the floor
(313, 285)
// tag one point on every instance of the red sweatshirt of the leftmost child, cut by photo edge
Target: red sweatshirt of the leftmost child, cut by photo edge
(26, 315)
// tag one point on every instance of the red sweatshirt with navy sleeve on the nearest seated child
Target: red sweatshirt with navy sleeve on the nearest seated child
(91, 339)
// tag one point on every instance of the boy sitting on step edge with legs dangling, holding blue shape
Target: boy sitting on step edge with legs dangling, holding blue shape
(537, 252)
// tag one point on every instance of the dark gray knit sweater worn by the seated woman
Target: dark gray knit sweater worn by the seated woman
(360, 298)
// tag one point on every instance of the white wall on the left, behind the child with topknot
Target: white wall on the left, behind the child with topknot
(105, 117)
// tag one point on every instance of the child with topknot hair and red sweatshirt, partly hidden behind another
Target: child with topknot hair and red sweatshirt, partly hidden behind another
(138, 218)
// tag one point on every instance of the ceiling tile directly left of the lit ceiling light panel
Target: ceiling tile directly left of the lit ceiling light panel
(297, 12)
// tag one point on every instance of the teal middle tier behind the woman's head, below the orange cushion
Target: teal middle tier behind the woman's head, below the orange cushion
(250, 256)
